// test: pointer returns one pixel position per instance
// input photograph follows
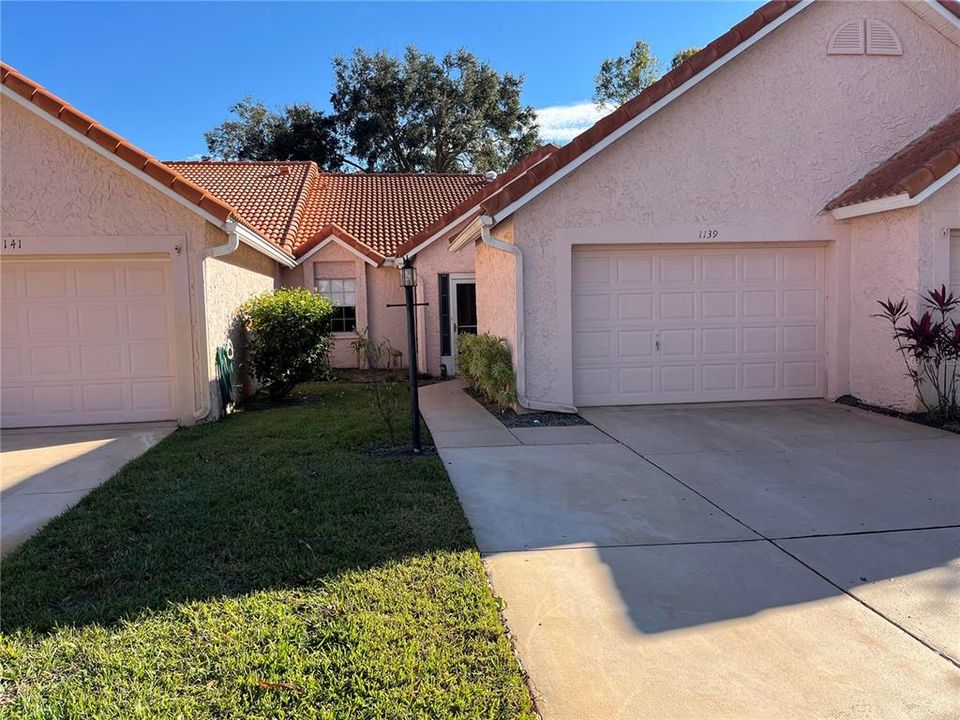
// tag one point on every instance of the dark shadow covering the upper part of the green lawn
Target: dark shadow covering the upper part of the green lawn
(279, 497)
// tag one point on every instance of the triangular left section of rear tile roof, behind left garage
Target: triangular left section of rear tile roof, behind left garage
(267, 194)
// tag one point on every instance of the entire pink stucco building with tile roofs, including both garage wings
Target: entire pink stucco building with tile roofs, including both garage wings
(723, 236)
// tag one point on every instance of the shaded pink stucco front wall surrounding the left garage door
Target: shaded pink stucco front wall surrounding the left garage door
(63, 197)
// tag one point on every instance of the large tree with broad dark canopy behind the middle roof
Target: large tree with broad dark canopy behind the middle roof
(419, 114)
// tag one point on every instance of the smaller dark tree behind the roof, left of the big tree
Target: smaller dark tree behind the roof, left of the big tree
(296, 132)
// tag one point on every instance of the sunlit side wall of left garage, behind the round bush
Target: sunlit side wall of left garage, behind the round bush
(230, 281)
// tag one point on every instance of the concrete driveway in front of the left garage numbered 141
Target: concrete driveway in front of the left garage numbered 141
(46, 471)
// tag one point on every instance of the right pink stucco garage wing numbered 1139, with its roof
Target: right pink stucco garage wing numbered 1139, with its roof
(726, 234)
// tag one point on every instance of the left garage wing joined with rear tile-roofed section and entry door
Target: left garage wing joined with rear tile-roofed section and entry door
(121, 274)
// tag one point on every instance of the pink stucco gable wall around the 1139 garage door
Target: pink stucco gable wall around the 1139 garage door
(755, 150)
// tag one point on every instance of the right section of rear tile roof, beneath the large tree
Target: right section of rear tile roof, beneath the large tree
(380, 211)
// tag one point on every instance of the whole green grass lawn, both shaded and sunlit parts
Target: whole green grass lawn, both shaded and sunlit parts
(261, 567)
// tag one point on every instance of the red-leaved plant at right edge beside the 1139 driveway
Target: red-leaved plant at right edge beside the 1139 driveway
(930, 347)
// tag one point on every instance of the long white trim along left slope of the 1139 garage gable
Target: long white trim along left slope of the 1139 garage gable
(656, 107)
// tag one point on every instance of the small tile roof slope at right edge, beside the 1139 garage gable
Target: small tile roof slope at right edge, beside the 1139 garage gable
(912, 169)
